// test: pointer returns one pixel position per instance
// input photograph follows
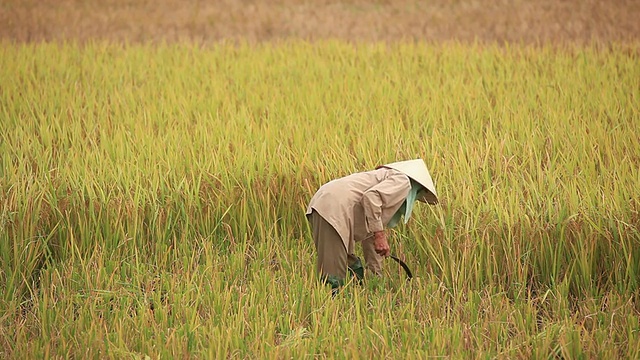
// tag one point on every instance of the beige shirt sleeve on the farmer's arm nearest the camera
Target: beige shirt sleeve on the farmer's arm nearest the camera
(390, 192)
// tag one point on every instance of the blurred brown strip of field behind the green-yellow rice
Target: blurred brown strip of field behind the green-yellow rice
(501, 21)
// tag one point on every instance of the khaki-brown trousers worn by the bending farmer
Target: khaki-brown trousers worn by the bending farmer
(333, 258)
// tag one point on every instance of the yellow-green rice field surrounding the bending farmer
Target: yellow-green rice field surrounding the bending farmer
(152, 199)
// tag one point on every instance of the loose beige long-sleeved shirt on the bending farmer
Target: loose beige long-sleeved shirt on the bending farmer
(360, 204)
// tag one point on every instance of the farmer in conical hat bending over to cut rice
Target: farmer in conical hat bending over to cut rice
(356, 208)
